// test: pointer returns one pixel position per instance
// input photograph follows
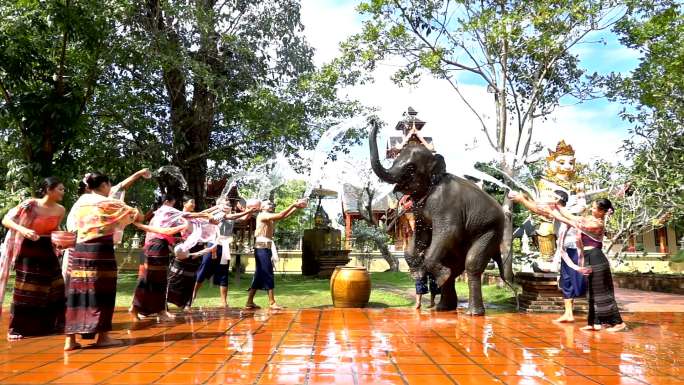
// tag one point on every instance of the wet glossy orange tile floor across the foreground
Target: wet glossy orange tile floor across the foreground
(354, 346)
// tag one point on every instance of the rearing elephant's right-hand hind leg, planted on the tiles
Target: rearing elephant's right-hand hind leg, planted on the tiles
(477, 258)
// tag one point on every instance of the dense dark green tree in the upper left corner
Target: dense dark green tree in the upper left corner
(52, 55)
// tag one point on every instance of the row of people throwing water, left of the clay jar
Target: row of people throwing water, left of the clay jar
(79, 296)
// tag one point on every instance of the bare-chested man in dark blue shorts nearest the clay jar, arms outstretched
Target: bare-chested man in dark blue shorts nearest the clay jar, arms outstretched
(263, 274)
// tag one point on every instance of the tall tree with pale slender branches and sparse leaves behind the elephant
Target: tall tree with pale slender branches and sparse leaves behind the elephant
(518, 49)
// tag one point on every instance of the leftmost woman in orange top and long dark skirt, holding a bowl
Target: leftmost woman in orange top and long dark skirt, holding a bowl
(38, 299)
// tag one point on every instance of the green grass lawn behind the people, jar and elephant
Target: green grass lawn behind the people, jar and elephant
(296, 291)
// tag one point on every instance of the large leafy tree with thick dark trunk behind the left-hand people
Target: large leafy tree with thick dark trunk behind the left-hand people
(232, 82)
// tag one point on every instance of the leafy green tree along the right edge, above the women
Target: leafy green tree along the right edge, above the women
(654, 93)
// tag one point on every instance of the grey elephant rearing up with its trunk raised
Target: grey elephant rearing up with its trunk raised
(459, 227)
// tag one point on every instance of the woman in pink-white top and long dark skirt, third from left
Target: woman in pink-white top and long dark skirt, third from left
(150, 293)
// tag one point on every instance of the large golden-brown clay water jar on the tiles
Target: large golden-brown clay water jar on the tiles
(350, 286)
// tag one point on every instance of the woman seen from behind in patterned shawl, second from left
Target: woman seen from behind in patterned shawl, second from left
(91, 283)
